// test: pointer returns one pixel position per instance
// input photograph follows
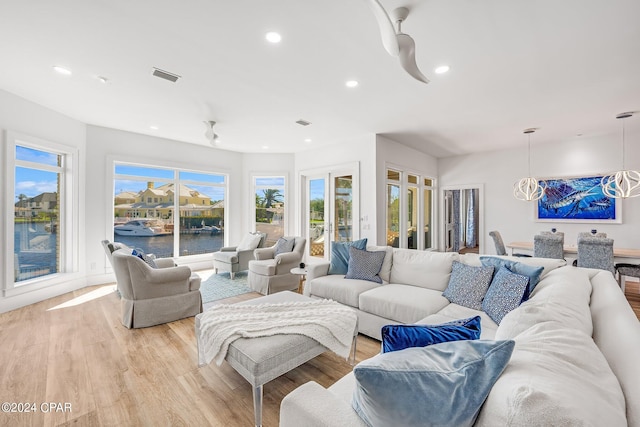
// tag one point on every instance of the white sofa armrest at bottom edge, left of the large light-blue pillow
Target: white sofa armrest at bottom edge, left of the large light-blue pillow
(312, 405)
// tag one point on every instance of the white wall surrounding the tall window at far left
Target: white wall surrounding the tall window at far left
(20, 115)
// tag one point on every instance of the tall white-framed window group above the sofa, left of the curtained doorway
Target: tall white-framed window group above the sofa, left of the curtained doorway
(409, 202)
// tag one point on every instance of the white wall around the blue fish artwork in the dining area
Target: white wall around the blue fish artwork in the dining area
(499, 170)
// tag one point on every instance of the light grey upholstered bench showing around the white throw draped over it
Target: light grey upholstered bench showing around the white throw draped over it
(262, 359)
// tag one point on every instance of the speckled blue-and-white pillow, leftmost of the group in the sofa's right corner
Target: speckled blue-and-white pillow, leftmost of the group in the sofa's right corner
(468, 284)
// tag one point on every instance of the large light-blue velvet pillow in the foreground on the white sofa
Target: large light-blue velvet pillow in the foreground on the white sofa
(441, 385)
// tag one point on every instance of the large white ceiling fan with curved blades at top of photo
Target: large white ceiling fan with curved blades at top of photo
(394, 40)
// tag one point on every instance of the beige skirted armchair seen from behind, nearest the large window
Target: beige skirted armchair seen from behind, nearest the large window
(152, 296)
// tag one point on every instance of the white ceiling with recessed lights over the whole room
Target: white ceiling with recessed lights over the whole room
(565, 66)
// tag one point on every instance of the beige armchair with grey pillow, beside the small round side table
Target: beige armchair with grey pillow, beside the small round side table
(270, 273)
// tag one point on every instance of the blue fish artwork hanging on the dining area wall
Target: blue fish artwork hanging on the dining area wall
(576, 199)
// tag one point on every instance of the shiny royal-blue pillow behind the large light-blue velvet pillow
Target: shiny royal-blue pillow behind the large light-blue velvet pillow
(399, 337)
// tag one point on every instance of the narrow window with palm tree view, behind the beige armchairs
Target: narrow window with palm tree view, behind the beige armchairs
(270, 210)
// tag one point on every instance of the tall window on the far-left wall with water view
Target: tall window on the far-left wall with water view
(42, 190)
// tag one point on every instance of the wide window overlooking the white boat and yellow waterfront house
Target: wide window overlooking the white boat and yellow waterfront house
(154, 227)
